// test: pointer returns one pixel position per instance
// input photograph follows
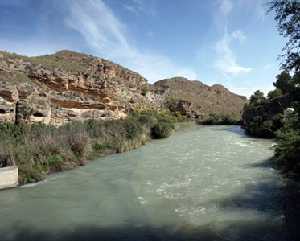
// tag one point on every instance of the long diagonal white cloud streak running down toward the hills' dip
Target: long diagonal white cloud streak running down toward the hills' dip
(108, 37)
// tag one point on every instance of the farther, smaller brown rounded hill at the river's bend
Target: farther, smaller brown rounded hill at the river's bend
(197, 100)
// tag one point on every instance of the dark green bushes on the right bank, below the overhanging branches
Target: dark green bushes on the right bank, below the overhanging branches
(277, 116)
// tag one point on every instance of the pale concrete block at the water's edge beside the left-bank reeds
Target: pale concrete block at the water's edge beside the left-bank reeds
(8, 177)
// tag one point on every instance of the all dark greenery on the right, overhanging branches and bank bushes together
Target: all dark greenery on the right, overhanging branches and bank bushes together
(277, 115)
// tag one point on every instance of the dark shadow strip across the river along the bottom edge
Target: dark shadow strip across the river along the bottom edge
(238, 231)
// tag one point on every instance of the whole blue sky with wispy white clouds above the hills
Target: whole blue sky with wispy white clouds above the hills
(231, 42)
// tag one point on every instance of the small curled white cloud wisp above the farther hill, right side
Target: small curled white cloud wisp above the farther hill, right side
(226, 62)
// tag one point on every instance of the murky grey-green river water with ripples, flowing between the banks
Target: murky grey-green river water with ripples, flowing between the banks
(203, 183)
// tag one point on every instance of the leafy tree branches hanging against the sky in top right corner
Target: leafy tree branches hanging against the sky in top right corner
(287, 16)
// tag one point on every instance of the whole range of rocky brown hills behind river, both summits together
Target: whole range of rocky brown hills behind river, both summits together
(55, 89)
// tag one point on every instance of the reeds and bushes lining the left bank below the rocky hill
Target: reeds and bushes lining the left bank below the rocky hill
(39, 149)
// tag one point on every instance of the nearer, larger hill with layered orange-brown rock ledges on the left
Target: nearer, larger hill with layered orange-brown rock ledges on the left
(66, 86)
